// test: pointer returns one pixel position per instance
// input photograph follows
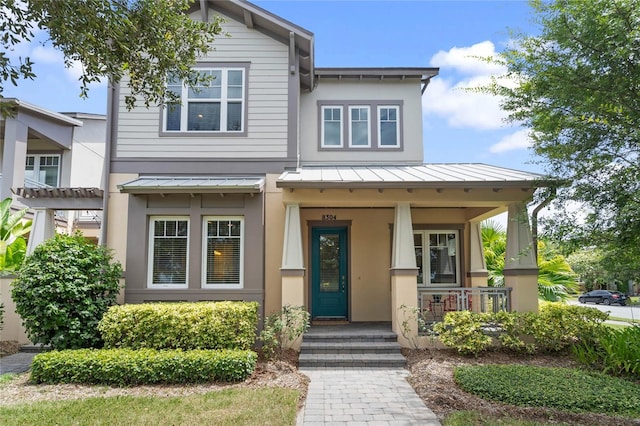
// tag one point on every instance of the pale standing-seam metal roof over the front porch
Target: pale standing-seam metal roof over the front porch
(433, 176)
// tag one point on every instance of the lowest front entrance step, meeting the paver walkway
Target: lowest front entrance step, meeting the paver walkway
(395, 360)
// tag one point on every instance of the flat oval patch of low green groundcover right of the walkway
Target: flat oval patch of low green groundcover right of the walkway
(560, 388)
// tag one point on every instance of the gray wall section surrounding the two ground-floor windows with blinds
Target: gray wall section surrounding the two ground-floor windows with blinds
(195, 207)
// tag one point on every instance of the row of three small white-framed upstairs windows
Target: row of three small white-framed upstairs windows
(373, 125)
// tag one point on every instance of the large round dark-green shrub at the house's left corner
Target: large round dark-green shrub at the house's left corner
(63, 289)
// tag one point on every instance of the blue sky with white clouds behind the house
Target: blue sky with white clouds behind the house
(458, 126)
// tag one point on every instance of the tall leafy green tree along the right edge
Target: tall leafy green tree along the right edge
(577, 87)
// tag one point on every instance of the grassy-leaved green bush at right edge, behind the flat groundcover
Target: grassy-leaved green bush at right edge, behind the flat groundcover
(615, 351)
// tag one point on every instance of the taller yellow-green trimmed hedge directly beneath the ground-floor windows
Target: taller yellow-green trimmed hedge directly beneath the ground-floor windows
(200, 325)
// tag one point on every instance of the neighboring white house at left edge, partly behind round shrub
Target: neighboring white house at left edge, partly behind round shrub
(53, 164)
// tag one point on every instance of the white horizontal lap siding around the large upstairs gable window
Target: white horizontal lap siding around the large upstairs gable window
(267, 106)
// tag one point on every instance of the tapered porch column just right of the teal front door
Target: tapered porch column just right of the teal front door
(404, 272)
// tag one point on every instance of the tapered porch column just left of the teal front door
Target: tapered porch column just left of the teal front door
(292, 269)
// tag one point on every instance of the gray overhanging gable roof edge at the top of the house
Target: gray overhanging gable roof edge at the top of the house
(300, 40)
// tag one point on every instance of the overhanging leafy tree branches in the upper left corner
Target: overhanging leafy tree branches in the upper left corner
(144, 40)
